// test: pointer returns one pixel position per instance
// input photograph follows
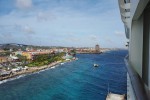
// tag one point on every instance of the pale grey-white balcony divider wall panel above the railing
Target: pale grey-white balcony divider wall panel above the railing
(136, 45)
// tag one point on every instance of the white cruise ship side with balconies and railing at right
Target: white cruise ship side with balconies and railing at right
(135, 15)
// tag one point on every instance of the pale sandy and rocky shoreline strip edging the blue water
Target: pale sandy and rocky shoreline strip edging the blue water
(30, 71)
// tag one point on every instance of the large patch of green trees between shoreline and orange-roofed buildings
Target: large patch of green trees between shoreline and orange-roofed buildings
(45, 59)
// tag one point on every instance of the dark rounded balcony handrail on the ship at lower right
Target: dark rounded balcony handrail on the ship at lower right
(137, 83)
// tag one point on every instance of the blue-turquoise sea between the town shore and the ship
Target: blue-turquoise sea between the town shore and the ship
(76, 80)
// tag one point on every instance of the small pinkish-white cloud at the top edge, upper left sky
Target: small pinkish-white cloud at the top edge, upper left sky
(24, 4)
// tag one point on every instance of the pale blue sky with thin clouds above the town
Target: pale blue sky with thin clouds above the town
(72, 23)
